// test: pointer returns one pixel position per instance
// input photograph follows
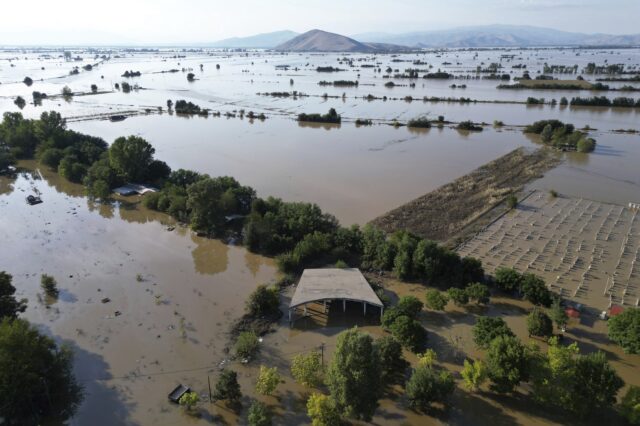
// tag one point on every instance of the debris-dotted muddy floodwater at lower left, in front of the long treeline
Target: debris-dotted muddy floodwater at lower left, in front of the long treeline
(170, 296)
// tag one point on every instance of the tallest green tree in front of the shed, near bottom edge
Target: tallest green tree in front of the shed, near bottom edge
(353, 377)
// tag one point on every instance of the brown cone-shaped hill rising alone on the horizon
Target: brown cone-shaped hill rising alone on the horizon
(322, 41)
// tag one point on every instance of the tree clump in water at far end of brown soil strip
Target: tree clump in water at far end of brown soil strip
(561, 136)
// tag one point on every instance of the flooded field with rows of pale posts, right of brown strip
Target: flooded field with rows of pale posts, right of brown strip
(585, 250)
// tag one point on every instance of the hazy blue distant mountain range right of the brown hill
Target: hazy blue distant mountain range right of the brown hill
(500, 36)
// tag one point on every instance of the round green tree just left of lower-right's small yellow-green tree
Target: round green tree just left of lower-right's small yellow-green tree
(427, 386)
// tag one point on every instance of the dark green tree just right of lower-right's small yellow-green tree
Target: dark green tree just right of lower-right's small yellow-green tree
(507, 363)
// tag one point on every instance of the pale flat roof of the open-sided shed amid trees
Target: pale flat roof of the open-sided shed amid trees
(333, 283)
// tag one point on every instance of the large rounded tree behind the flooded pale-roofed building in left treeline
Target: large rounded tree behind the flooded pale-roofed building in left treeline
(131, 157)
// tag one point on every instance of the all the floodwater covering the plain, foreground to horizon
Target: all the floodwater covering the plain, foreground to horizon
(172, 295)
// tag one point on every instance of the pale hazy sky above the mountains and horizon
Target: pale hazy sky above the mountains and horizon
(199, 21)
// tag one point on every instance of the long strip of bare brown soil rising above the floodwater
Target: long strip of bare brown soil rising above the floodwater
(463, 206)
